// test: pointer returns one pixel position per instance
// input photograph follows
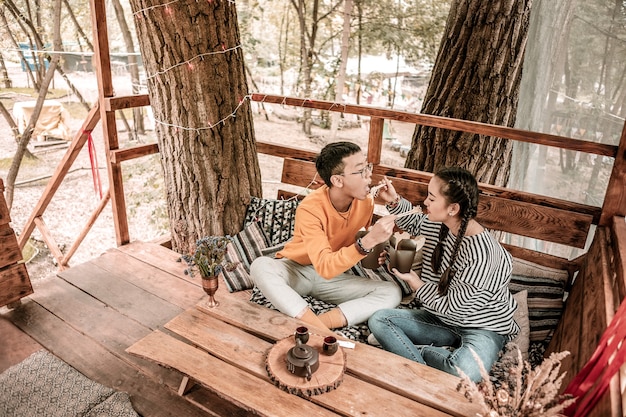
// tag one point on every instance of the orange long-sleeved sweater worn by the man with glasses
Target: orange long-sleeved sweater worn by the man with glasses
(323, 237)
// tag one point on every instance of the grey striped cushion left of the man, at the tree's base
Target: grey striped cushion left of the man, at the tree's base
(245, 247)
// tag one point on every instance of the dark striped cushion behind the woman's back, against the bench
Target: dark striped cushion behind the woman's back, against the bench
(546, 289)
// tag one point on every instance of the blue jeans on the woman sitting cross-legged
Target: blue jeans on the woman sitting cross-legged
(420, 336)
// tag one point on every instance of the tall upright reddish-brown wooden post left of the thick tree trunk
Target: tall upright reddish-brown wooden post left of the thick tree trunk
(109, 129)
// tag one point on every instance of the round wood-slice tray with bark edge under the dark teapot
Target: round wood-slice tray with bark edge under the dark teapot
(327, 377)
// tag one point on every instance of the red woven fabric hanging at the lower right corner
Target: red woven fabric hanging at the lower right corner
(593, 380)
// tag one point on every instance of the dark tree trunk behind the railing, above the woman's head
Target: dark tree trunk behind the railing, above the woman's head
(476, 77)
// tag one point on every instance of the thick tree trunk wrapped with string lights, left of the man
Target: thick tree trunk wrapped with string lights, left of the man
(197, 86)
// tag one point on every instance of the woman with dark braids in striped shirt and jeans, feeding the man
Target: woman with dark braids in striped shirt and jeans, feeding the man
(463, 289)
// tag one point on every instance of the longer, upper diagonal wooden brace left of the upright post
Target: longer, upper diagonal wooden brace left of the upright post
(59, 174)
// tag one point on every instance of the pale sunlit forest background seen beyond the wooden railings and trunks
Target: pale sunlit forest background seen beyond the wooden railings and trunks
(392, 50)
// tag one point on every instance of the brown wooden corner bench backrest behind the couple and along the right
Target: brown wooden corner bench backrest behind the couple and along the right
(597, 282)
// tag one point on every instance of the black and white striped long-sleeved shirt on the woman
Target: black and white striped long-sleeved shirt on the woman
(478, 296)
